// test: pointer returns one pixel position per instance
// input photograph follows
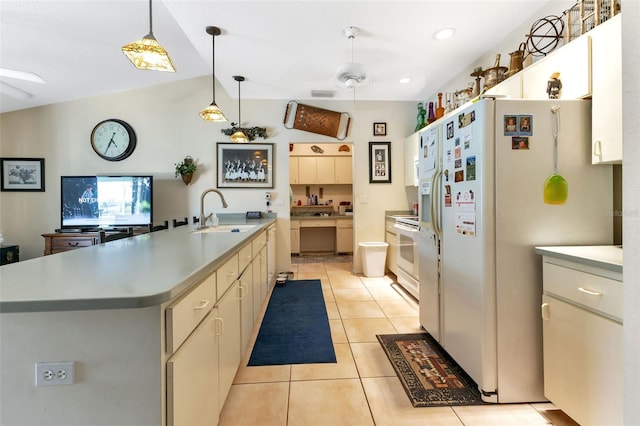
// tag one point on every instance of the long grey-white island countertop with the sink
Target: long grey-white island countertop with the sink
(144, 270)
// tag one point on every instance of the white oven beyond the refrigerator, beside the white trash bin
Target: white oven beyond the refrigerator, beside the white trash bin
(407, 232)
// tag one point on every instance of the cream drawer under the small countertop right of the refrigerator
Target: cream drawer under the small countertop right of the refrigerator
(597, 293)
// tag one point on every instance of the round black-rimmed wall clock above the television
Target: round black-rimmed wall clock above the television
(113, 139)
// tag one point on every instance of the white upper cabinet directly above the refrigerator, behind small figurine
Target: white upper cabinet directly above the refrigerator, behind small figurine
(572, 61)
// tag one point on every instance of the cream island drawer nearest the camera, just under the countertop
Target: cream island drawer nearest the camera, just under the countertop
(184, 315)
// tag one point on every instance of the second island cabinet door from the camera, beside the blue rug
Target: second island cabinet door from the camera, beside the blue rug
(229, 352)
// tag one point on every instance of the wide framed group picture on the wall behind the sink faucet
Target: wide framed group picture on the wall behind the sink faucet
(247, 165)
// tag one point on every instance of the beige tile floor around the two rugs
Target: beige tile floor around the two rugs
(362, 387)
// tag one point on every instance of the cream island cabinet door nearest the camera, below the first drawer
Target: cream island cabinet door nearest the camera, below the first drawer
(192, 382)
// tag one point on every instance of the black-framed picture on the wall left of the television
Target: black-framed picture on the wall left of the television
(22, 174)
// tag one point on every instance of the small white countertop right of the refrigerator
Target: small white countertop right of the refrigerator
(606, 257)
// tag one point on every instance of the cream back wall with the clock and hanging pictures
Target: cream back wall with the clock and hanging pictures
(168, 128)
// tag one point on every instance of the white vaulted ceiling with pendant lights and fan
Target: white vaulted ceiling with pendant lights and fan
(285, 49)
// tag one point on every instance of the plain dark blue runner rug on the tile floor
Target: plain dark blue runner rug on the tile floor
(295, 328)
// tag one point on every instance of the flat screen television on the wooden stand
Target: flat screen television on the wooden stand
(89, 202)
